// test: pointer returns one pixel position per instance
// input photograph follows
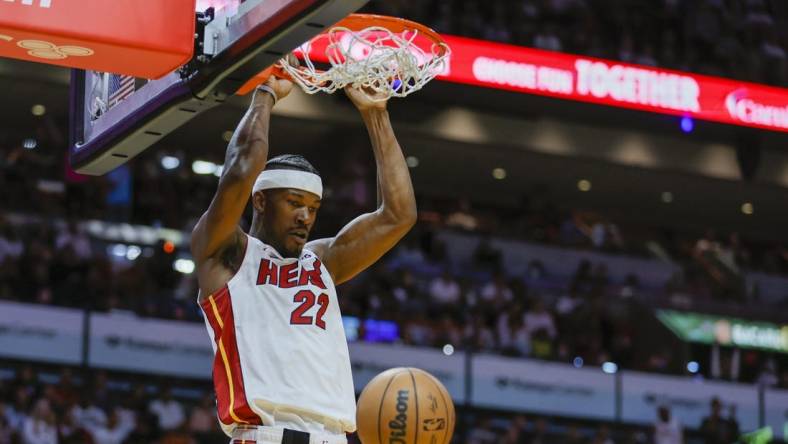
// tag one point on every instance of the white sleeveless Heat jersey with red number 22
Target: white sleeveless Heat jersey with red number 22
(279, 343)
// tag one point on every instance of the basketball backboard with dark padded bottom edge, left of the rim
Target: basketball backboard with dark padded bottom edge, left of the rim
(115, 117)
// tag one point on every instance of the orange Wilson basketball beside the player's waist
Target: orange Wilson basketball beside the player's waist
(405, 405)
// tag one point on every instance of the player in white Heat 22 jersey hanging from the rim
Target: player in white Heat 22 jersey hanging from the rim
(281, 369)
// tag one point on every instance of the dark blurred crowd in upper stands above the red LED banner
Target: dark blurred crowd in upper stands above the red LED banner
(741, 39)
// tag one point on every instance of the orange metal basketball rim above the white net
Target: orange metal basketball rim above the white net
(353, 22)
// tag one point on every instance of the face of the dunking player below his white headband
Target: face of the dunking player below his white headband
(288, 218)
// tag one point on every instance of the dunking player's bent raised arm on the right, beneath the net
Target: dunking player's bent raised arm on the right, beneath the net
(365, 239)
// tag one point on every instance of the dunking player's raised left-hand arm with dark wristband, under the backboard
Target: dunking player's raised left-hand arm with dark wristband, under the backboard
(246, 155)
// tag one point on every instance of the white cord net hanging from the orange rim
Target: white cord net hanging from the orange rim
(383, 63)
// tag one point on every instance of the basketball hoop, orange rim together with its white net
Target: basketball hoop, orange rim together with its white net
(384, 56)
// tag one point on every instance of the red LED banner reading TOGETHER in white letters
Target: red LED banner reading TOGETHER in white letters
(606, 82)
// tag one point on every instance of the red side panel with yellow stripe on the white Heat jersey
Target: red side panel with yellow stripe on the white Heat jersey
(240, 407)
